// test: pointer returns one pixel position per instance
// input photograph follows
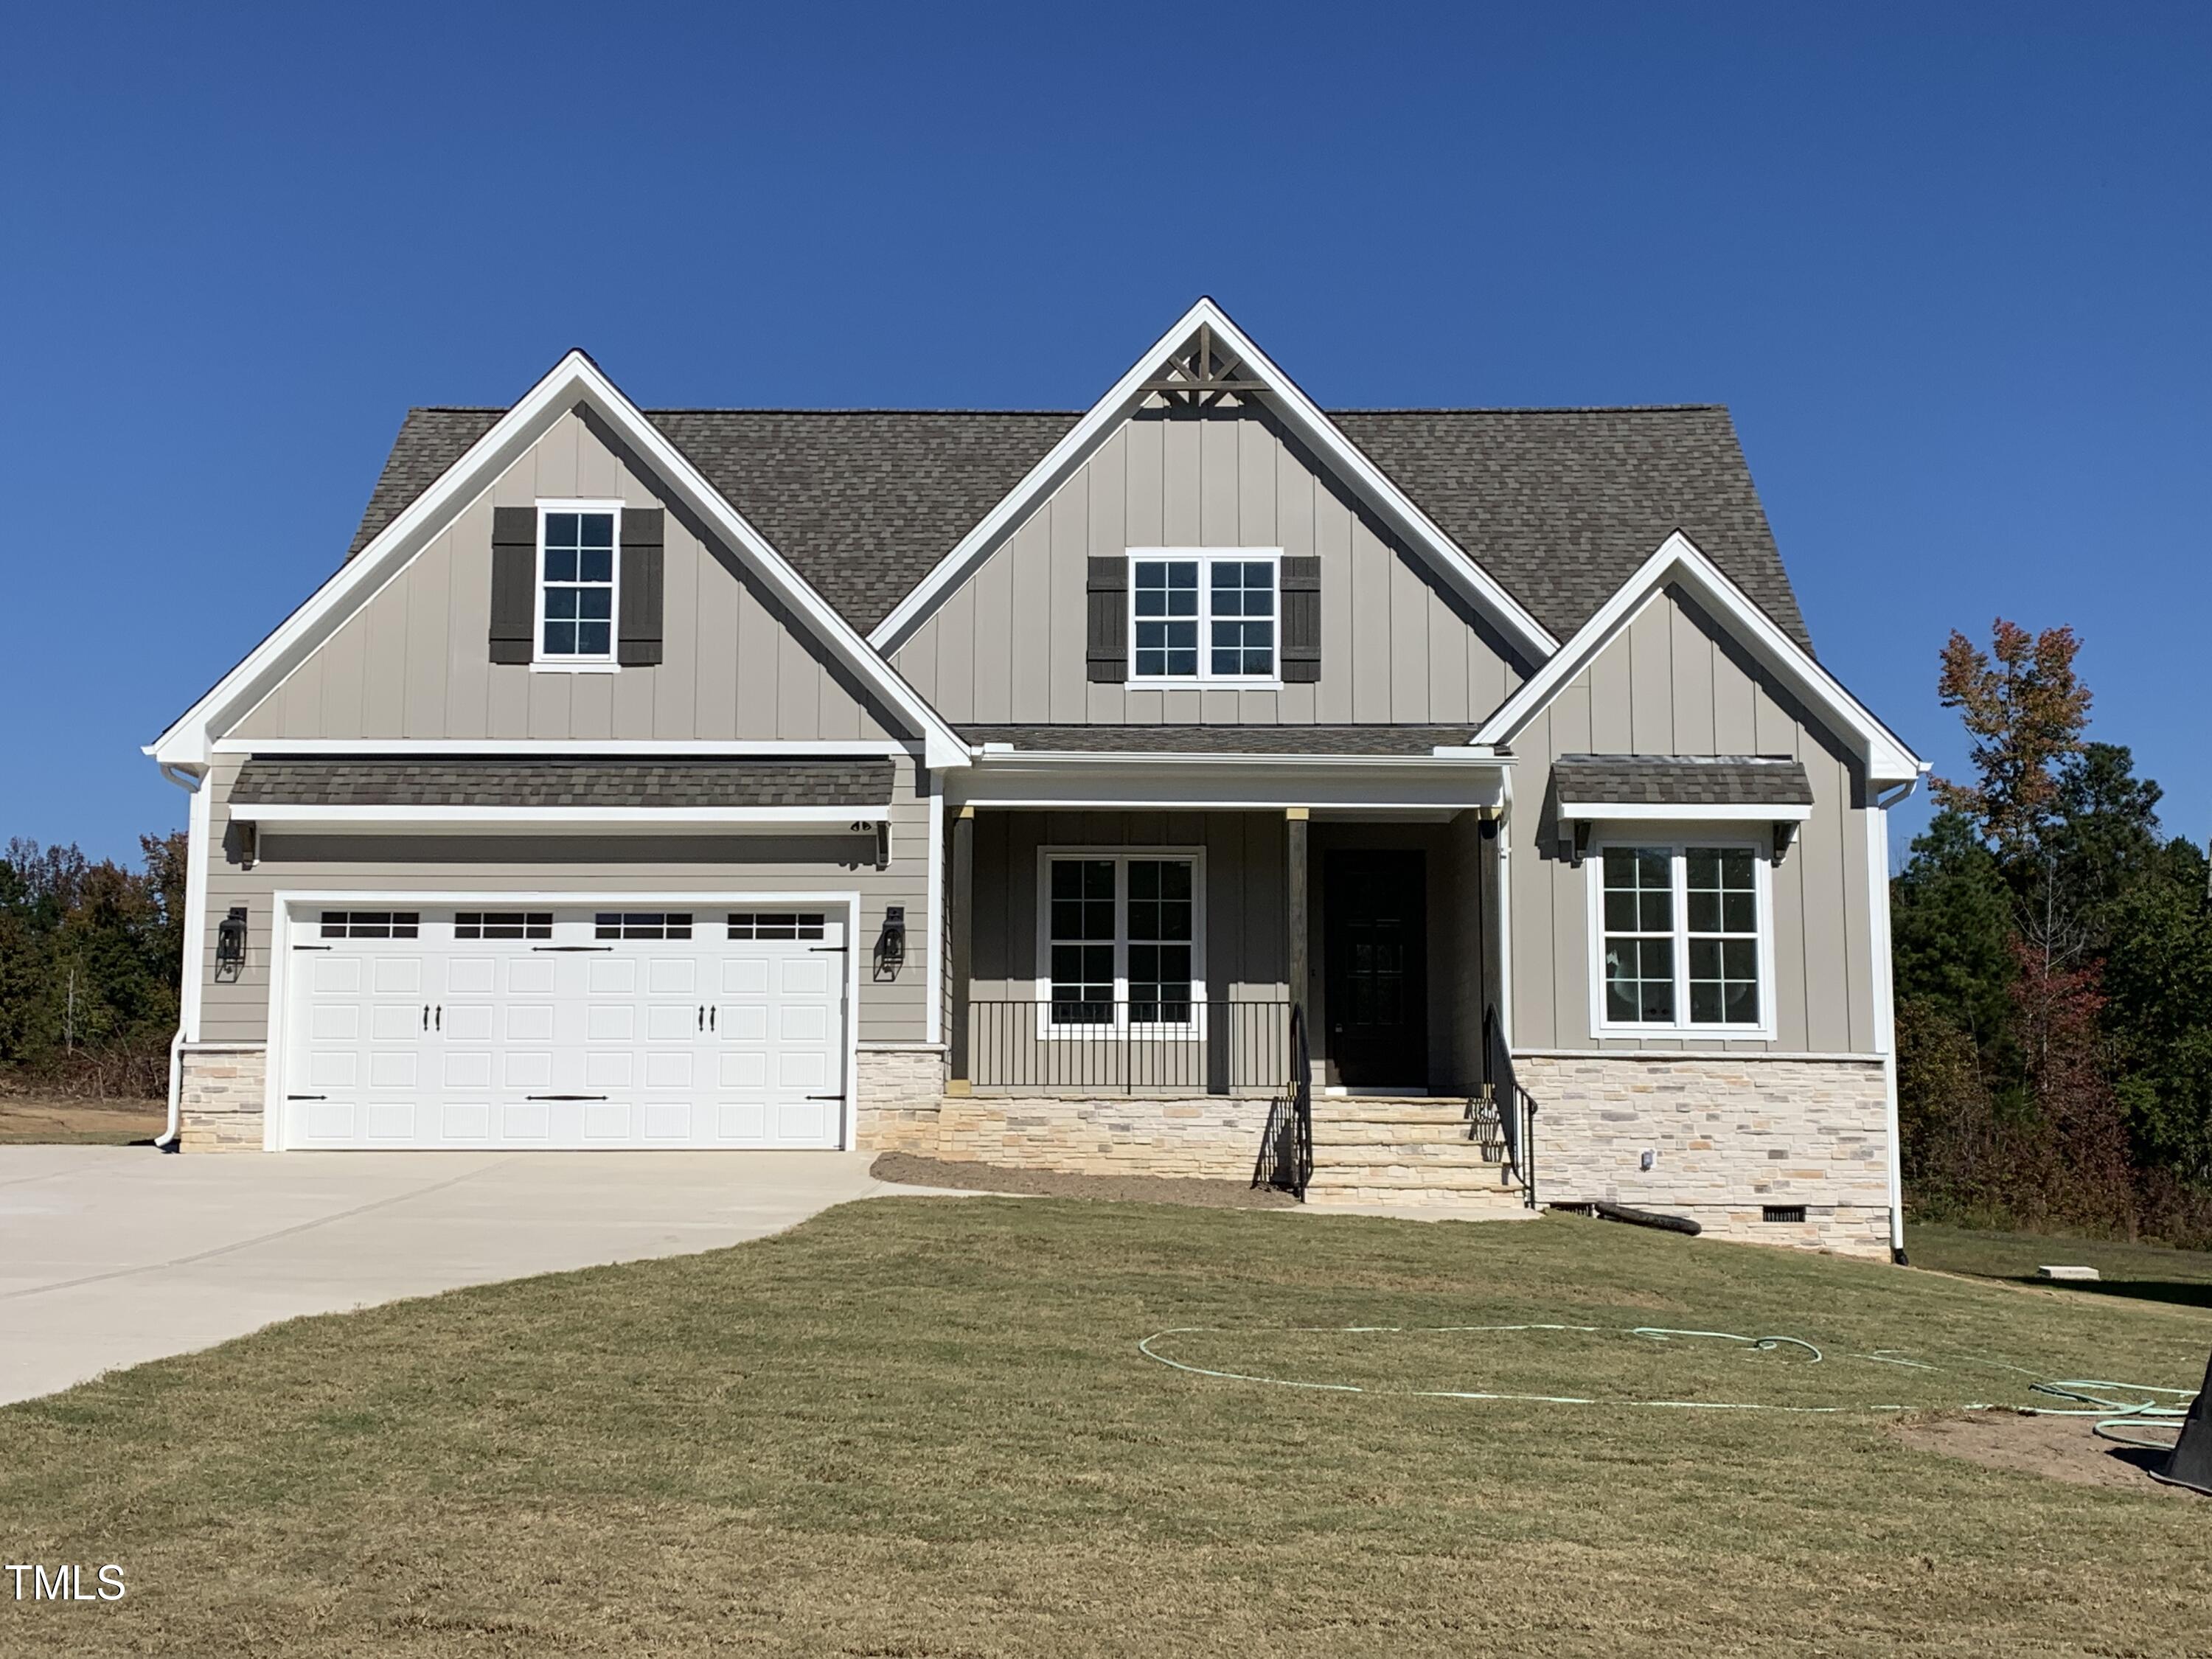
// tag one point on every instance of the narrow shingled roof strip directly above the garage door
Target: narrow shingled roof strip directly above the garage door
(563, 784)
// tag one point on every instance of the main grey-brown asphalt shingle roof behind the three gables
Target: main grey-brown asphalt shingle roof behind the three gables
(1558, 505)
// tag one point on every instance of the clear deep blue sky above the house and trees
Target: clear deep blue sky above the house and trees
(1950, 267)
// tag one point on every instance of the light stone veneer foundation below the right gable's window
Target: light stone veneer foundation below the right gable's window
(1733, 1134)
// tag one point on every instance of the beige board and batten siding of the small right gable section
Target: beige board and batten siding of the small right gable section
(1673, 685)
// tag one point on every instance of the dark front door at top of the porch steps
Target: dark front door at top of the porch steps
(1375, 941)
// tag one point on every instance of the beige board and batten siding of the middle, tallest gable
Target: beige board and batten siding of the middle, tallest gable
(1010, 645)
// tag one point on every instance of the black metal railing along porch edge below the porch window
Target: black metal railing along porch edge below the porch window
(1215, 1047)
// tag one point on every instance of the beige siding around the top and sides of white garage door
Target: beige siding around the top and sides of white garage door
(890, 1010)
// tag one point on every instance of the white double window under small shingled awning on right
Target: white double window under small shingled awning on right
(1682, 939)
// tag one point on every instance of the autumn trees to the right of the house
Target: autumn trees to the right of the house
(2054, 970)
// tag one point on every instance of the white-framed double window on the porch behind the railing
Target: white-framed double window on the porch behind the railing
(1120, 935)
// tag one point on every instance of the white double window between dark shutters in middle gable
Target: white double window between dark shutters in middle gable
(1204, 618)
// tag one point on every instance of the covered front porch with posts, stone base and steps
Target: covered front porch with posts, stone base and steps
(1227, 966)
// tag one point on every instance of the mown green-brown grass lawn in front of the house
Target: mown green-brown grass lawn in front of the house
(924, 1428)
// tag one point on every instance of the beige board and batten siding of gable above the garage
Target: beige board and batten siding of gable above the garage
(415, 660)
